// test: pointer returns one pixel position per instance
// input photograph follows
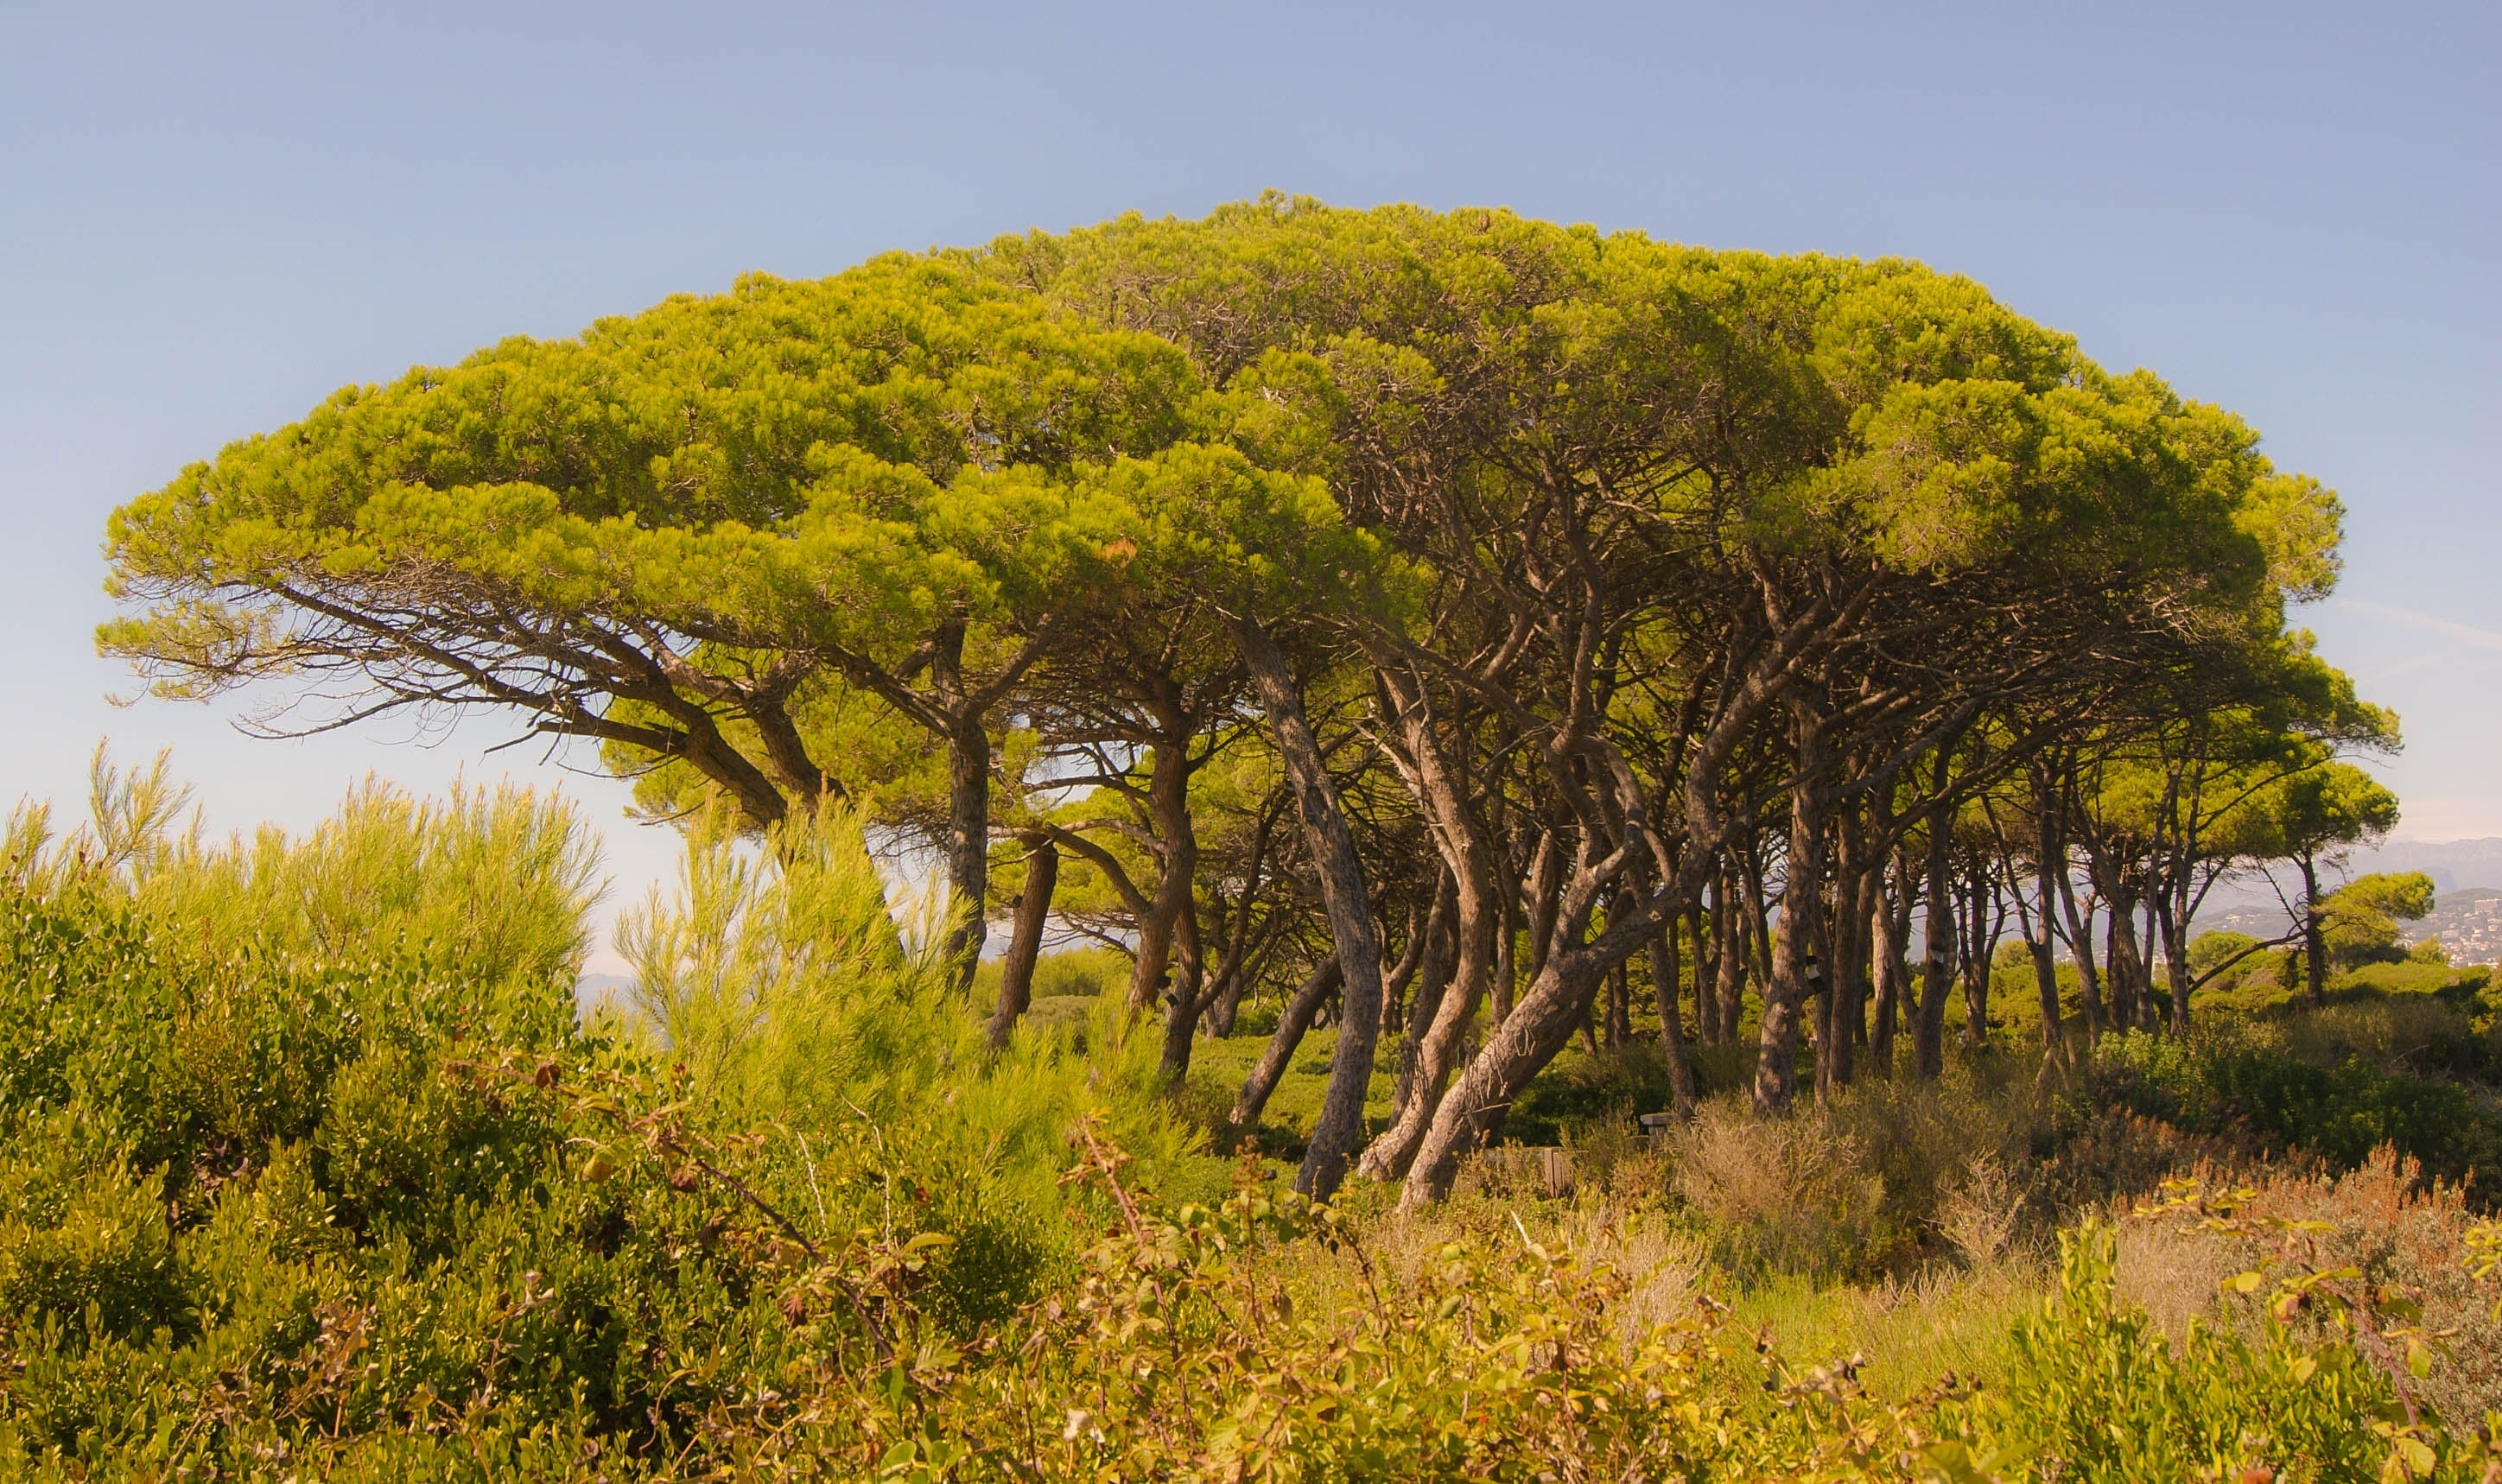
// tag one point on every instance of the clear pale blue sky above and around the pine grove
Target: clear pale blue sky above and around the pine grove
(211, 216)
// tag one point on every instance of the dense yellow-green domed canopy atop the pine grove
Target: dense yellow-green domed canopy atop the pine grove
(914, 479)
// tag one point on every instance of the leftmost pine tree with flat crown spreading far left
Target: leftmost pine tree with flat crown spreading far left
(674, 534)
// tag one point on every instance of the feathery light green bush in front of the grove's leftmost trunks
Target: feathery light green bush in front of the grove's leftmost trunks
(784, 990)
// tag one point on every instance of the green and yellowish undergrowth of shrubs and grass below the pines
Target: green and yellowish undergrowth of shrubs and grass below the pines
(309, 1172)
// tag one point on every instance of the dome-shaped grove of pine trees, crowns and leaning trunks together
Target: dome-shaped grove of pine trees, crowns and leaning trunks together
(1415, 617)
